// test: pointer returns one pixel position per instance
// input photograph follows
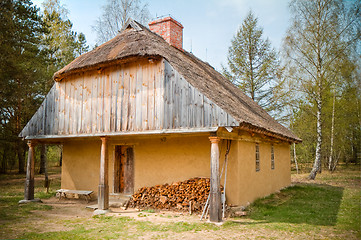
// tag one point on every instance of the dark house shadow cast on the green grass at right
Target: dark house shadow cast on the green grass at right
(313, 204)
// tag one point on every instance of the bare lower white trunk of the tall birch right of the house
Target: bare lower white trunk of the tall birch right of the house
(317, 163)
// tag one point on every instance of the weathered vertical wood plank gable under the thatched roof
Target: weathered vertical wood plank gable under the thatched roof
(133, 97)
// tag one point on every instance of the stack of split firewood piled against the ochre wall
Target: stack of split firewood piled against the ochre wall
(190, 195)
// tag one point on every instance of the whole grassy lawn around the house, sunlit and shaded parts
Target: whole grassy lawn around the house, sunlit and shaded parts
(327, 208)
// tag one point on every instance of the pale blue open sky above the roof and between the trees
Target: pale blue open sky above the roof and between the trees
(209, 25)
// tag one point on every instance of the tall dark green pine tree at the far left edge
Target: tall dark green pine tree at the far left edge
(21, 62)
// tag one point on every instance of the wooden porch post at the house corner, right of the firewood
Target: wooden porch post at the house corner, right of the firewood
(215, 211)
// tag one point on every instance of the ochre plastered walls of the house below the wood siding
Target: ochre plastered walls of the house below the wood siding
(167, 159)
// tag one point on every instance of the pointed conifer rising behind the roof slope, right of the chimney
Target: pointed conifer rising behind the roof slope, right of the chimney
(253, 64)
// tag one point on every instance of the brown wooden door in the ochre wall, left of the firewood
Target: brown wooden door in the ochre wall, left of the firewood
(124, 169)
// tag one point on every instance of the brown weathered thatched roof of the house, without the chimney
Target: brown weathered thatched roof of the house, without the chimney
(136, 40)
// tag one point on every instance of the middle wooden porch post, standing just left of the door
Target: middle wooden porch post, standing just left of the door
(103, 189)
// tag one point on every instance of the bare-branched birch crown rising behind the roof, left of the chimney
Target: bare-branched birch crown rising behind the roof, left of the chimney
(114, 16)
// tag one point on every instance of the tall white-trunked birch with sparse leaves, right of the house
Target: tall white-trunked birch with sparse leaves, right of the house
(321, 34)
